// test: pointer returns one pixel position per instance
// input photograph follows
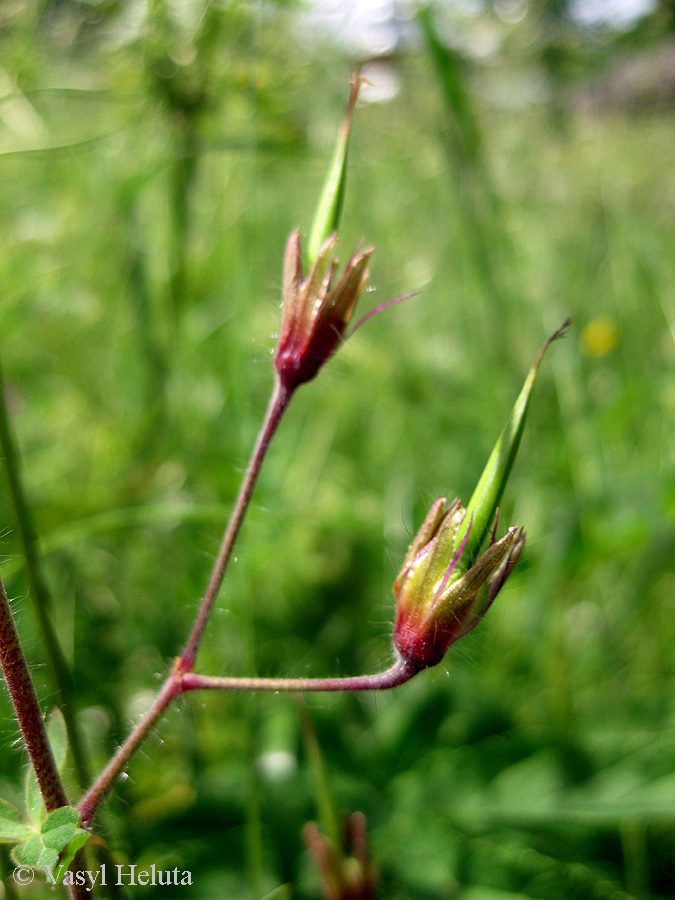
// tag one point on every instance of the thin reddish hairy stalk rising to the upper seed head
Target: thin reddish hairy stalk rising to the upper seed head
(279, 401)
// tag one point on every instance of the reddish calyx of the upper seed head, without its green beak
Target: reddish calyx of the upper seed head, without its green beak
(315, 312)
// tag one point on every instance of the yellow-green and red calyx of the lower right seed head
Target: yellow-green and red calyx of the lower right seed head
(438, 598)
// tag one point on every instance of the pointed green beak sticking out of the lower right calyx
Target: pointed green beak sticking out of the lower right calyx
(483, 504)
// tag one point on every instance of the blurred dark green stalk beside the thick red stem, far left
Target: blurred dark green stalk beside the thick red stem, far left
(61, 675)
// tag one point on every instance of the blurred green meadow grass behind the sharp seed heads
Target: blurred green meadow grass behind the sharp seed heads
(149, 180)
